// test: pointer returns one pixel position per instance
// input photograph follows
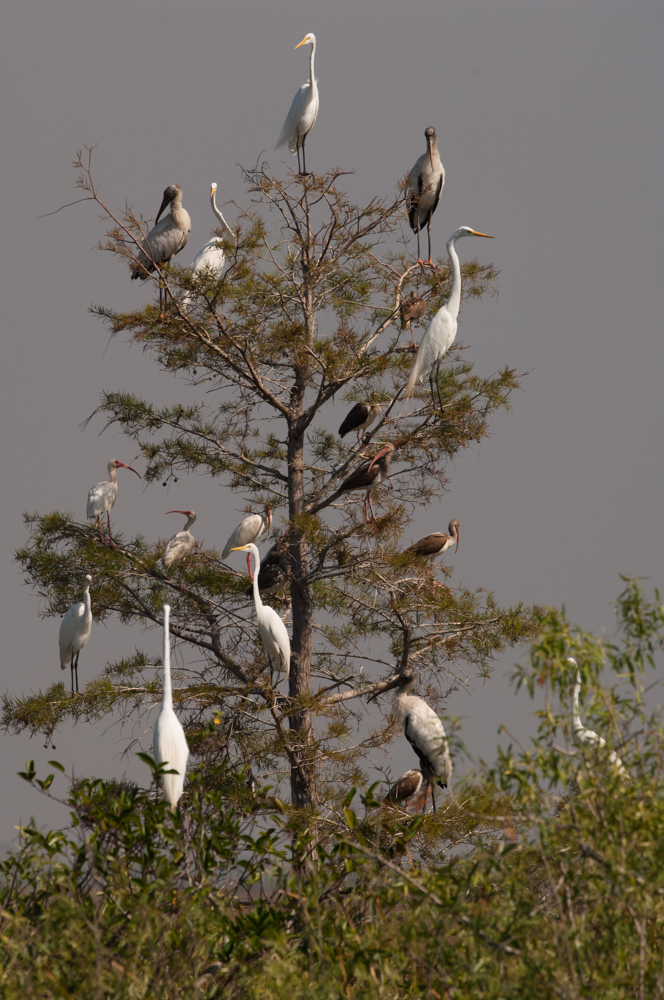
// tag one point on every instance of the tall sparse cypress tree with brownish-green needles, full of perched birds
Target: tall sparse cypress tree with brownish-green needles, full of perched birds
(306, 312)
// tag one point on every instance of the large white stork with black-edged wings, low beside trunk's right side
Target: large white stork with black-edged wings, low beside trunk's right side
(426, 734)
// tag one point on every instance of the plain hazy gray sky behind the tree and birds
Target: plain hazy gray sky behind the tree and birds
(549, 121)
